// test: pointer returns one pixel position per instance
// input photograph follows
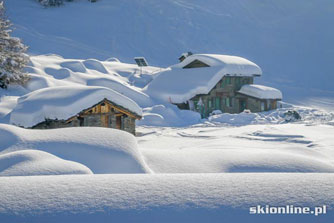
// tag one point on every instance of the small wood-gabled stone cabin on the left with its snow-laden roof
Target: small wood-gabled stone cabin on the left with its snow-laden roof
(76, 106)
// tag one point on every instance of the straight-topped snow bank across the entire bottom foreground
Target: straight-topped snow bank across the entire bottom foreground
(163, 198)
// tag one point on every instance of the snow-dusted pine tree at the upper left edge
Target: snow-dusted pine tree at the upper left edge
(12, 54)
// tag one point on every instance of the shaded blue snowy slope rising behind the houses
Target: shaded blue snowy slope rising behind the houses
(289, 40)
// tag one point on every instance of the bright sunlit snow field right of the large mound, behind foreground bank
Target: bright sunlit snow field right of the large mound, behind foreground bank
(209, 148)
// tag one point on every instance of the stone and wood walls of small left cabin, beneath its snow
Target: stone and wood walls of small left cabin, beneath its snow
(103, 114)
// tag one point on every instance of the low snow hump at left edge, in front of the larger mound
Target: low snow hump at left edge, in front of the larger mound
(33, 162)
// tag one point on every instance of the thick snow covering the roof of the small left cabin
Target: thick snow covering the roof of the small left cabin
(64, 102)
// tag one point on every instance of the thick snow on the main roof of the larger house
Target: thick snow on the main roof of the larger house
(178, 85)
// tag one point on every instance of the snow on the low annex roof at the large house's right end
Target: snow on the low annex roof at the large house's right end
(260, 91)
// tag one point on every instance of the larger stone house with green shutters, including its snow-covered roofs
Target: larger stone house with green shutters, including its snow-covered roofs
(209, 82)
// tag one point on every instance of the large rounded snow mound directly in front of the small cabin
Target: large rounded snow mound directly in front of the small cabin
(102, 150)
